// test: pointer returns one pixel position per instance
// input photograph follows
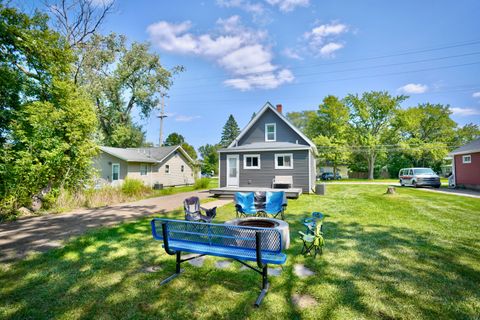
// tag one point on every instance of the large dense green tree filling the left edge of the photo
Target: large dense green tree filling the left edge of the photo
(47, 124)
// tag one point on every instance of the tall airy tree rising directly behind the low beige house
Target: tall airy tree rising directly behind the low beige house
(122, 78)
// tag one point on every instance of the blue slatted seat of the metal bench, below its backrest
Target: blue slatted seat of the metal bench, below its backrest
(227, 252)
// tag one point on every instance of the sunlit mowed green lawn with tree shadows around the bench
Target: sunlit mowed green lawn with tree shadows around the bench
(412, 255)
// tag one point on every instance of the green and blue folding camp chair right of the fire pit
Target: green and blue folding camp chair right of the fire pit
(313, 238)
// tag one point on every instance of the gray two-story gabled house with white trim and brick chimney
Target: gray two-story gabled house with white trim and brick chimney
(268, 147)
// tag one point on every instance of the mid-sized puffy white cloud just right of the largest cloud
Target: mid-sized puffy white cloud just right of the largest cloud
(321, 38)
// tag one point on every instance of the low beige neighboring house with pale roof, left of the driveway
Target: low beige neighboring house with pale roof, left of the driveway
(170, 166)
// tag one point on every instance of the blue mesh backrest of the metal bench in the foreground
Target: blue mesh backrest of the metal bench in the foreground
(219, 235)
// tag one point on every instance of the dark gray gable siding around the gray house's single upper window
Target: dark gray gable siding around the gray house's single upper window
(284, 132)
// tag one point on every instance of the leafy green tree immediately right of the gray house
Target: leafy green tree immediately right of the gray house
(330, 126)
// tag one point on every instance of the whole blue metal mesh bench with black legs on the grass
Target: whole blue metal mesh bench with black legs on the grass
(261, 245)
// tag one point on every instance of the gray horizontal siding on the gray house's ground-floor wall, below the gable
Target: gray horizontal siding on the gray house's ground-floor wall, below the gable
(263, 177)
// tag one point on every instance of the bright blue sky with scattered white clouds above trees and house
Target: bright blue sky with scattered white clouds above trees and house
(238, 54)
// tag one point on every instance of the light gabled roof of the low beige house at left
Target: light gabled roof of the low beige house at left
(149, 155)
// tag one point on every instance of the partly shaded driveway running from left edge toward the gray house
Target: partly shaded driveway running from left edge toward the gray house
(39, 234)
